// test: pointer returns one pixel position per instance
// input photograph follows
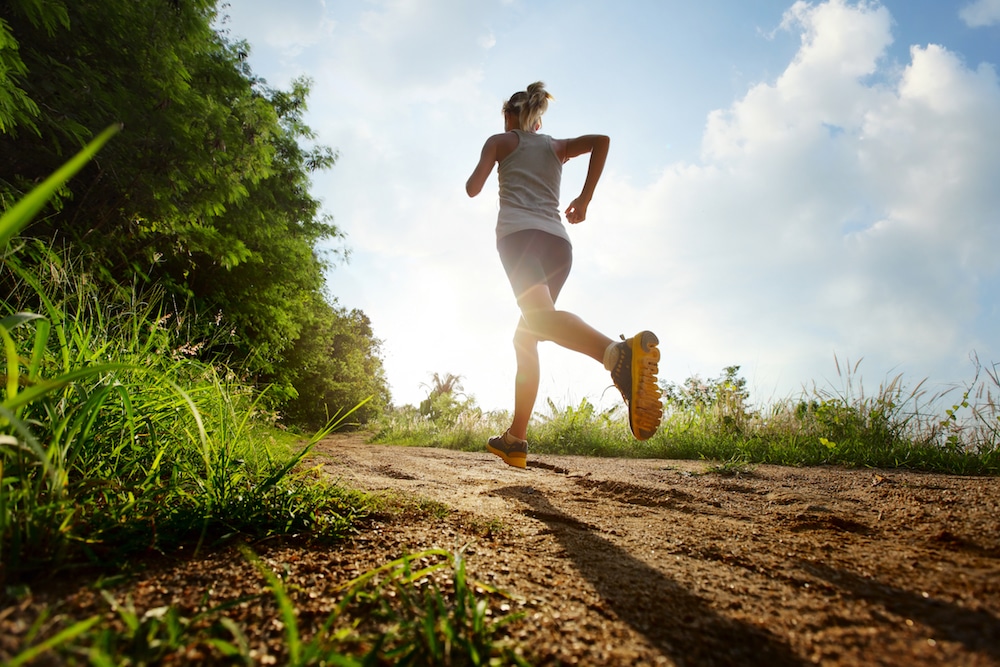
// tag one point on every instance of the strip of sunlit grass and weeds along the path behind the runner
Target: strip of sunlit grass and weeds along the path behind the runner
(714, 420)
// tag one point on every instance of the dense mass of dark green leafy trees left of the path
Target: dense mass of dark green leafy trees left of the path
(204, 193)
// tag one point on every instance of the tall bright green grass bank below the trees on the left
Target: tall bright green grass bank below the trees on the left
(115, 441)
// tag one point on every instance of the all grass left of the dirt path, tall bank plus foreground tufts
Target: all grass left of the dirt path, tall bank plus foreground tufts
(118, 444)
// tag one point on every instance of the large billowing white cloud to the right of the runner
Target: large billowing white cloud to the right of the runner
(829, 214)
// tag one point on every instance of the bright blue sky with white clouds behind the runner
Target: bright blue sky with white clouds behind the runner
(796, 188)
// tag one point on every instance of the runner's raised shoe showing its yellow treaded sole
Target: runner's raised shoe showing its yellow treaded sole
(634, 375)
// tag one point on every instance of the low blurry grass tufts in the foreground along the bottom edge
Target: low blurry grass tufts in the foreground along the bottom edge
(422, 609)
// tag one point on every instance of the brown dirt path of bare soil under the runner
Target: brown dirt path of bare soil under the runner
(625, 562)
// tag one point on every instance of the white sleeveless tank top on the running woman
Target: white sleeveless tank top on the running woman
(529, 187)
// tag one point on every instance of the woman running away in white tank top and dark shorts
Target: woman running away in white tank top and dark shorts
(536, 254)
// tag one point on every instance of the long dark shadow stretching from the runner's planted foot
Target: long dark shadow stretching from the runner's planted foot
(679, 623)
